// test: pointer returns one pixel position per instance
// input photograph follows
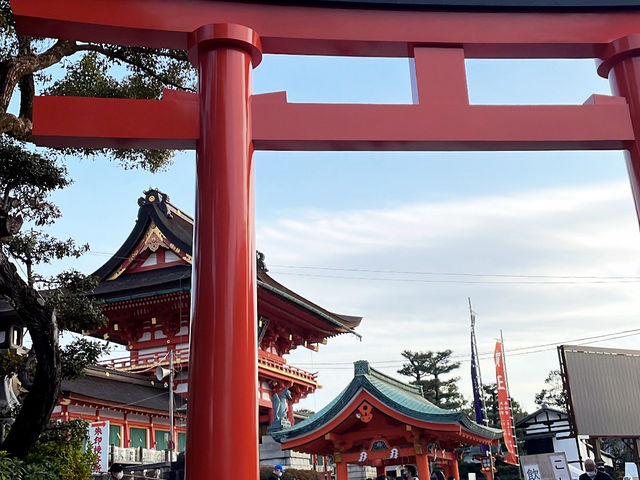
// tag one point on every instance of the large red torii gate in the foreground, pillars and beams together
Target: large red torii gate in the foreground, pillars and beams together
(225, 123)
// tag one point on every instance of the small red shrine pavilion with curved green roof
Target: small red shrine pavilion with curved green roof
(381, 422)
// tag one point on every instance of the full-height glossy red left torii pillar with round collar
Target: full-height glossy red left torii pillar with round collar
(222, 420)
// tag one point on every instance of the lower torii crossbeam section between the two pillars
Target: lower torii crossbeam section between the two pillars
(279, 125)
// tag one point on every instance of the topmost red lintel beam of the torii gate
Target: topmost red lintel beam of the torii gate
(329, 31)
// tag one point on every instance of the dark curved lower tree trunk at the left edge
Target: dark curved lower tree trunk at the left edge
(42, 325)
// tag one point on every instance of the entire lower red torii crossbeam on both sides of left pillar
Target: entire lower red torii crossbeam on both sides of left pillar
(278, 125)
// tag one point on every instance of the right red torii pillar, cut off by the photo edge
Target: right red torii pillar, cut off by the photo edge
(621, 64)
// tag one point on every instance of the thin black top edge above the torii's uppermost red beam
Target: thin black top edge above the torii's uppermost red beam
(478, 5)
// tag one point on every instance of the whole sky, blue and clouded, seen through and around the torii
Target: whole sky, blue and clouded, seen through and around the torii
(516, 213)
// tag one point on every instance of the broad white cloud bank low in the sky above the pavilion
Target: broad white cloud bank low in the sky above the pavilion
(580, 231)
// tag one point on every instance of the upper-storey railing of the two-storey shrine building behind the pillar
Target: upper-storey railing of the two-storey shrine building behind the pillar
(149, 361)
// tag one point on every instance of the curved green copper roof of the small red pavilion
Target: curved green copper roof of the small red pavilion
(399, 396)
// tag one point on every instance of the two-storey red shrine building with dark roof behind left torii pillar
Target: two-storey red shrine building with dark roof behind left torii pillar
(145, 287)
